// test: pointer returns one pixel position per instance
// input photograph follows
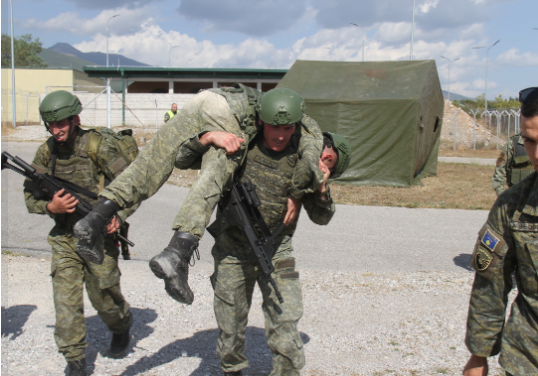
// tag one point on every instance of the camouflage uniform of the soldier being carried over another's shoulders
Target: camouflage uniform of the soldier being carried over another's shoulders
(229, 110)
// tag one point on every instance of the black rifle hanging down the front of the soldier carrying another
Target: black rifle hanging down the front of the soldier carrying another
(240, 208)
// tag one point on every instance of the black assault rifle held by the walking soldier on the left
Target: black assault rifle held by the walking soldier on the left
(49, 185)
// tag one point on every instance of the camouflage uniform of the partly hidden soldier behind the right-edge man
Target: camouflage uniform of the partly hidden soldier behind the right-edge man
(512, 165)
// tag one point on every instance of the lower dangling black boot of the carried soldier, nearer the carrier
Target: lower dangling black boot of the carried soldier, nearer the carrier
(172, 265)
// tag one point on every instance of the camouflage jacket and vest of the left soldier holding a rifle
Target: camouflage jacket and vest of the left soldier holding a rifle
(74, 165)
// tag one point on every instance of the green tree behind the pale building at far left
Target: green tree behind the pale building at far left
(26, 51)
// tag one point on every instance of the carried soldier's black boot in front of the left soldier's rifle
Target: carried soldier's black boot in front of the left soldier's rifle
(91, 231)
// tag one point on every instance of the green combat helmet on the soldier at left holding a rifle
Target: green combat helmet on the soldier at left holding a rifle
(59, 105)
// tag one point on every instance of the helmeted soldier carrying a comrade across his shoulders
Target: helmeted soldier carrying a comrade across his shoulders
(269, 165)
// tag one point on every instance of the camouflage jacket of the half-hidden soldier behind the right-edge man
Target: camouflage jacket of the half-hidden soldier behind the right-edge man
(505, 164)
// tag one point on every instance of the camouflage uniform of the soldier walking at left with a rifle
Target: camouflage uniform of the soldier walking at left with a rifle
(68, 271)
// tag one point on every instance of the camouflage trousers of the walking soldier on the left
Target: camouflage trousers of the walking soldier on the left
(69, 273)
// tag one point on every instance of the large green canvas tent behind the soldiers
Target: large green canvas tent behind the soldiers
(390, 112)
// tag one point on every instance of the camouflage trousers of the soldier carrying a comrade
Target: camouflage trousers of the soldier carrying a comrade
(233, 281)
